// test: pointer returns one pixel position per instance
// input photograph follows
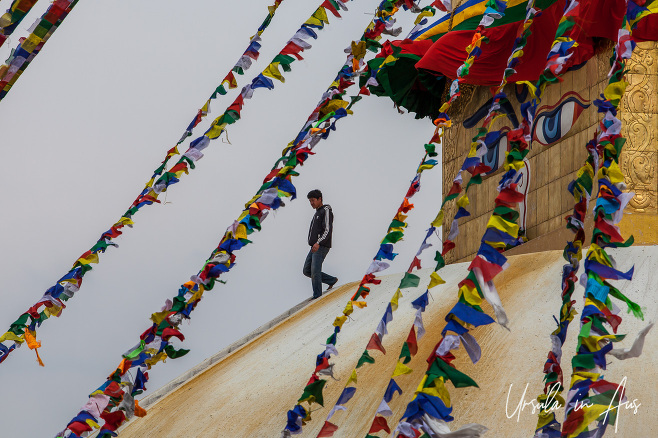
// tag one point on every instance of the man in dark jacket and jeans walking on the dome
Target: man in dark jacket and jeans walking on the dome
(319, 239)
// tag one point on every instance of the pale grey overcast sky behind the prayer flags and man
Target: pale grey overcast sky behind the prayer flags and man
(92, 117)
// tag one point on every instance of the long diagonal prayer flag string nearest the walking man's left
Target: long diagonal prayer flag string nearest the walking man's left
(113, 402)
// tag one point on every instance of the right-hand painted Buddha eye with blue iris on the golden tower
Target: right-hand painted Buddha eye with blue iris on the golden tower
(554, 122)
